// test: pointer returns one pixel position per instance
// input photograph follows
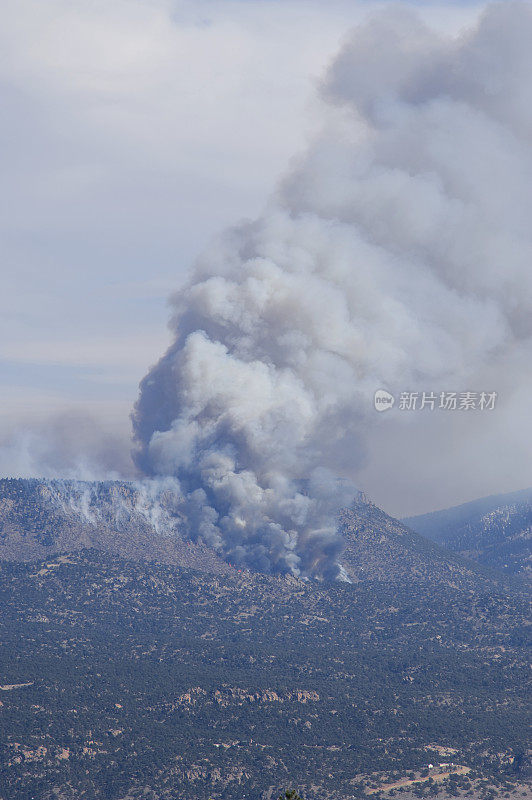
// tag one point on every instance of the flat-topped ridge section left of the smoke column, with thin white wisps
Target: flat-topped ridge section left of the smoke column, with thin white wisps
(41, 517)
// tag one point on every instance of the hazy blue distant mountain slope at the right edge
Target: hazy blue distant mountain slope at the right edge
(494, 531)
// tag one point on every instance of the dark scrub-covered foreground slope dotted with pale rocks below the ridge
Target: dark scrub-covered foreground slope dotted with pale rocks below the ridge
(131, 680)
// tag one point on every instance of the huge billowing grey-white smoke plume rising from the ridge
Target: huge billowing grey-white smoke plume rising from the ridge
(397, 254)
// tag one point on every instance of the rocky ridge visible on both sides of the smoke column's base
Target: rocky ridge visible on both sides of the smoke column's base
(40, 518)
